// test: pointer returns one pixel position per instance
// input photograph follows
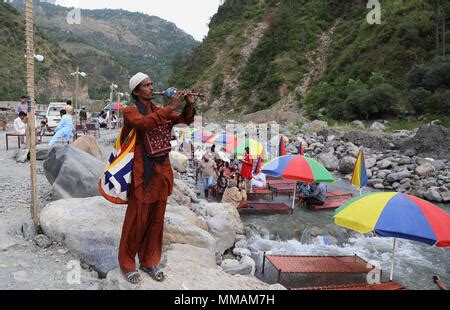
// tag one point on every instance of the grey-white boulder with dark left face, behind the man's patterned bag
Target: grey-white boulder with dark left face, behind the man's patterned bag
(73, 173)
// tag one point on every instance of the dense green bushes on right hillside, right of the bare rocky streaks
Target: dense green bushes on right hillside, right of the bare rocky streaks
(369, 73)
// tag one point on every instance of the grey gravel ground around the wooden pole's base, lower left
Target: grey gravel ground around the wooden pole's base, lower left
(23, 264)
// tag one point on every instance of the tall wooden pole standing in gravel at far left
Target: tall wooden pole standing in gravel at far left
(29, 31)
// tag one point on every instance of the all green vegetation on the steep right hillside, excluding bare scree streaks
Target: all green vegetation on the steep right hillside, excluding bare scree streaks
(389, 70)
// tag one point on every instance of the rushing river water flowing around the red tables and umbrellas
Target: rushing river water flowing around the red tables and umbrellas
(308, 232)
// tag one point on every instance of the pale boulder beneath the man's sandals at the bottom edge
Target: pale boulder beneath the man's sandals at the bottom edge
(189, 268)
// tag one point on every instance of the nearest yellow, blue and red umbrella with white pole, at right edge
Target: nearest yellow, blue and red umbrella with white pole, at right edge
(397, 215)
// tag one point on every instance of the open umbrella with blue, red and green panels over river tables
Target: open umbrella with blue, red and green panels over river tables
(299, 168)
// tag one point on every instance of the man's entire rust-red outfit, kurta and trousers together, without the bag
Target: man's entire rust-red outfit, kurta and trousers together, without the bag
(144, 220)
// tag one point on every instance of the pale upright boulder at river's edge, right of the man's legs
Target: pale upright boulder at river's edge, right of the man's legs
(223, 233)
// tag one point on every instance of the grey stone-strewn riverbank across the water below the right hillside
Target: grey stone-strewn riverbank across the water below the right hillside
(414, 162)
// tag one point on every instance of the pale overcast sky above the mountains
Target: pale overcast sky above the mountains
(192, 16)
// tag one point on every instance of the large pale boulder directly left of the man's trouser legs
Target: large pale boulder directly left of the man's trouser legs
(89, 228)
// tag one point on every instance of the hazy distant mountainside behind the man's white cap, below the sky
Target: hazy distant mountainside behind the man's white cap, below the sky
(111, 45)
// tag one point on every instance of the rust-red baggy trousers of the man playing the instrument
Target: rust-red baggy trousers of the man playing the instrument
(142, 234)
